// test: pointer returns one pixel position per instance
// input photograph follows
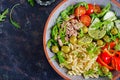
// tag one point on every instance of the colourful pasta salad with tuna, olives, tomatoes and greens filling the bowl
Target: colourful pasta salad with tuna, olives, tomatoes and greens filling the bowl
(86, 40)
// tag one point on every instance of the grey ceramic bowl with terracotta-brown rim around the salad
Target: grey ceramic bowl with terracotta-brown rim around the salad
(51, 21)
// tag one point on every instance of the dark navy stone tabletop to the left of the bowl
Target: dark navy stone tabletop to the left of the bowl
(21, 50)
